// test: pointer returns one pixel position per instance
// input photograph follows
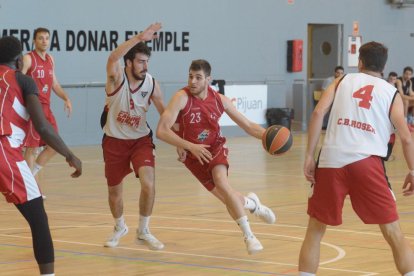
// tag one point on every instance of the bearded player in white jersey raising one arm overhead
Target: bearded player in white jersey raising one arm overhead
(128, 138)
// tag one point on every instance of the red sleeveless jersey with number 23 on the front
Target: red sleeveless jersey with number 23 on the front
(199, 120)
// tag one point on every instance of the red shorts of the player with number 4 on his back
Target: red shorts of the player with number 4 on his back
(365, 182)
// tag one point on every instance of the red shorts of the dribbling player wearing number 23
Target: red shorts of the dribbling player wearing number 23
(203, 172)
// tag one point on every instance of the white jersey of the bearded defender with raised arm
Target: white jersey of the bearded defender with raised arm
(127, 110)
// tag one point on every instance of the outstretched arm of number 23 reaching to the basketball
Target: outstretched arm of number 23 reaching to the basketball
(248, 126)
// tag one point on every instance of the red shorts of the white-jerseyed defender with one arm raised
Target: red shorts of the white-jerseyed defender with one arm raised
(119, 154)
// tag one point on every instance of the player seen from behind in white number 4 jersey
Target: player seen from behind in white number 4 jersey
(365, 110)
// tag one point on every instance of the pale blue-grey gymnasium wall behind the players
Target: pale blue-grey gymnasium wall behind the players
(244, 40)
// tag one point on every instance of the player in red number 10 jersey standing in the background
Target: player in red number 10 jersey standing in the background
(40, 66)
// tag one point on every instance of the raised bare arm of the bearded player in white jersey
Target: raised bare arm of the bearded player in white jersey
(113, 67)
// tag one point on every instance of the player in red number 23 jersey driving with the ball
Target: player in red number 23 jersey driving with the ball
(197, 109)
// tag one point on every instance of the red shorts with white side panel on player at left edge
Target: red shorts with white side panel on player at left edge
(17, 183)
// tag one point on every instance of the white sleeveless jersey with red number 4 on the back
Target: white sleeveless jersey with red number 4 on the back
(359, 124)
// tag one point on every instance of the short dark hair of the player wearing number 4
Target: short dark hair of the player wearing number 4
(373, 56)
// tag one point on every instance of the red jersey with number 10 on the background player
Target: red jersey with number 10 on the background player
(42, 73)
